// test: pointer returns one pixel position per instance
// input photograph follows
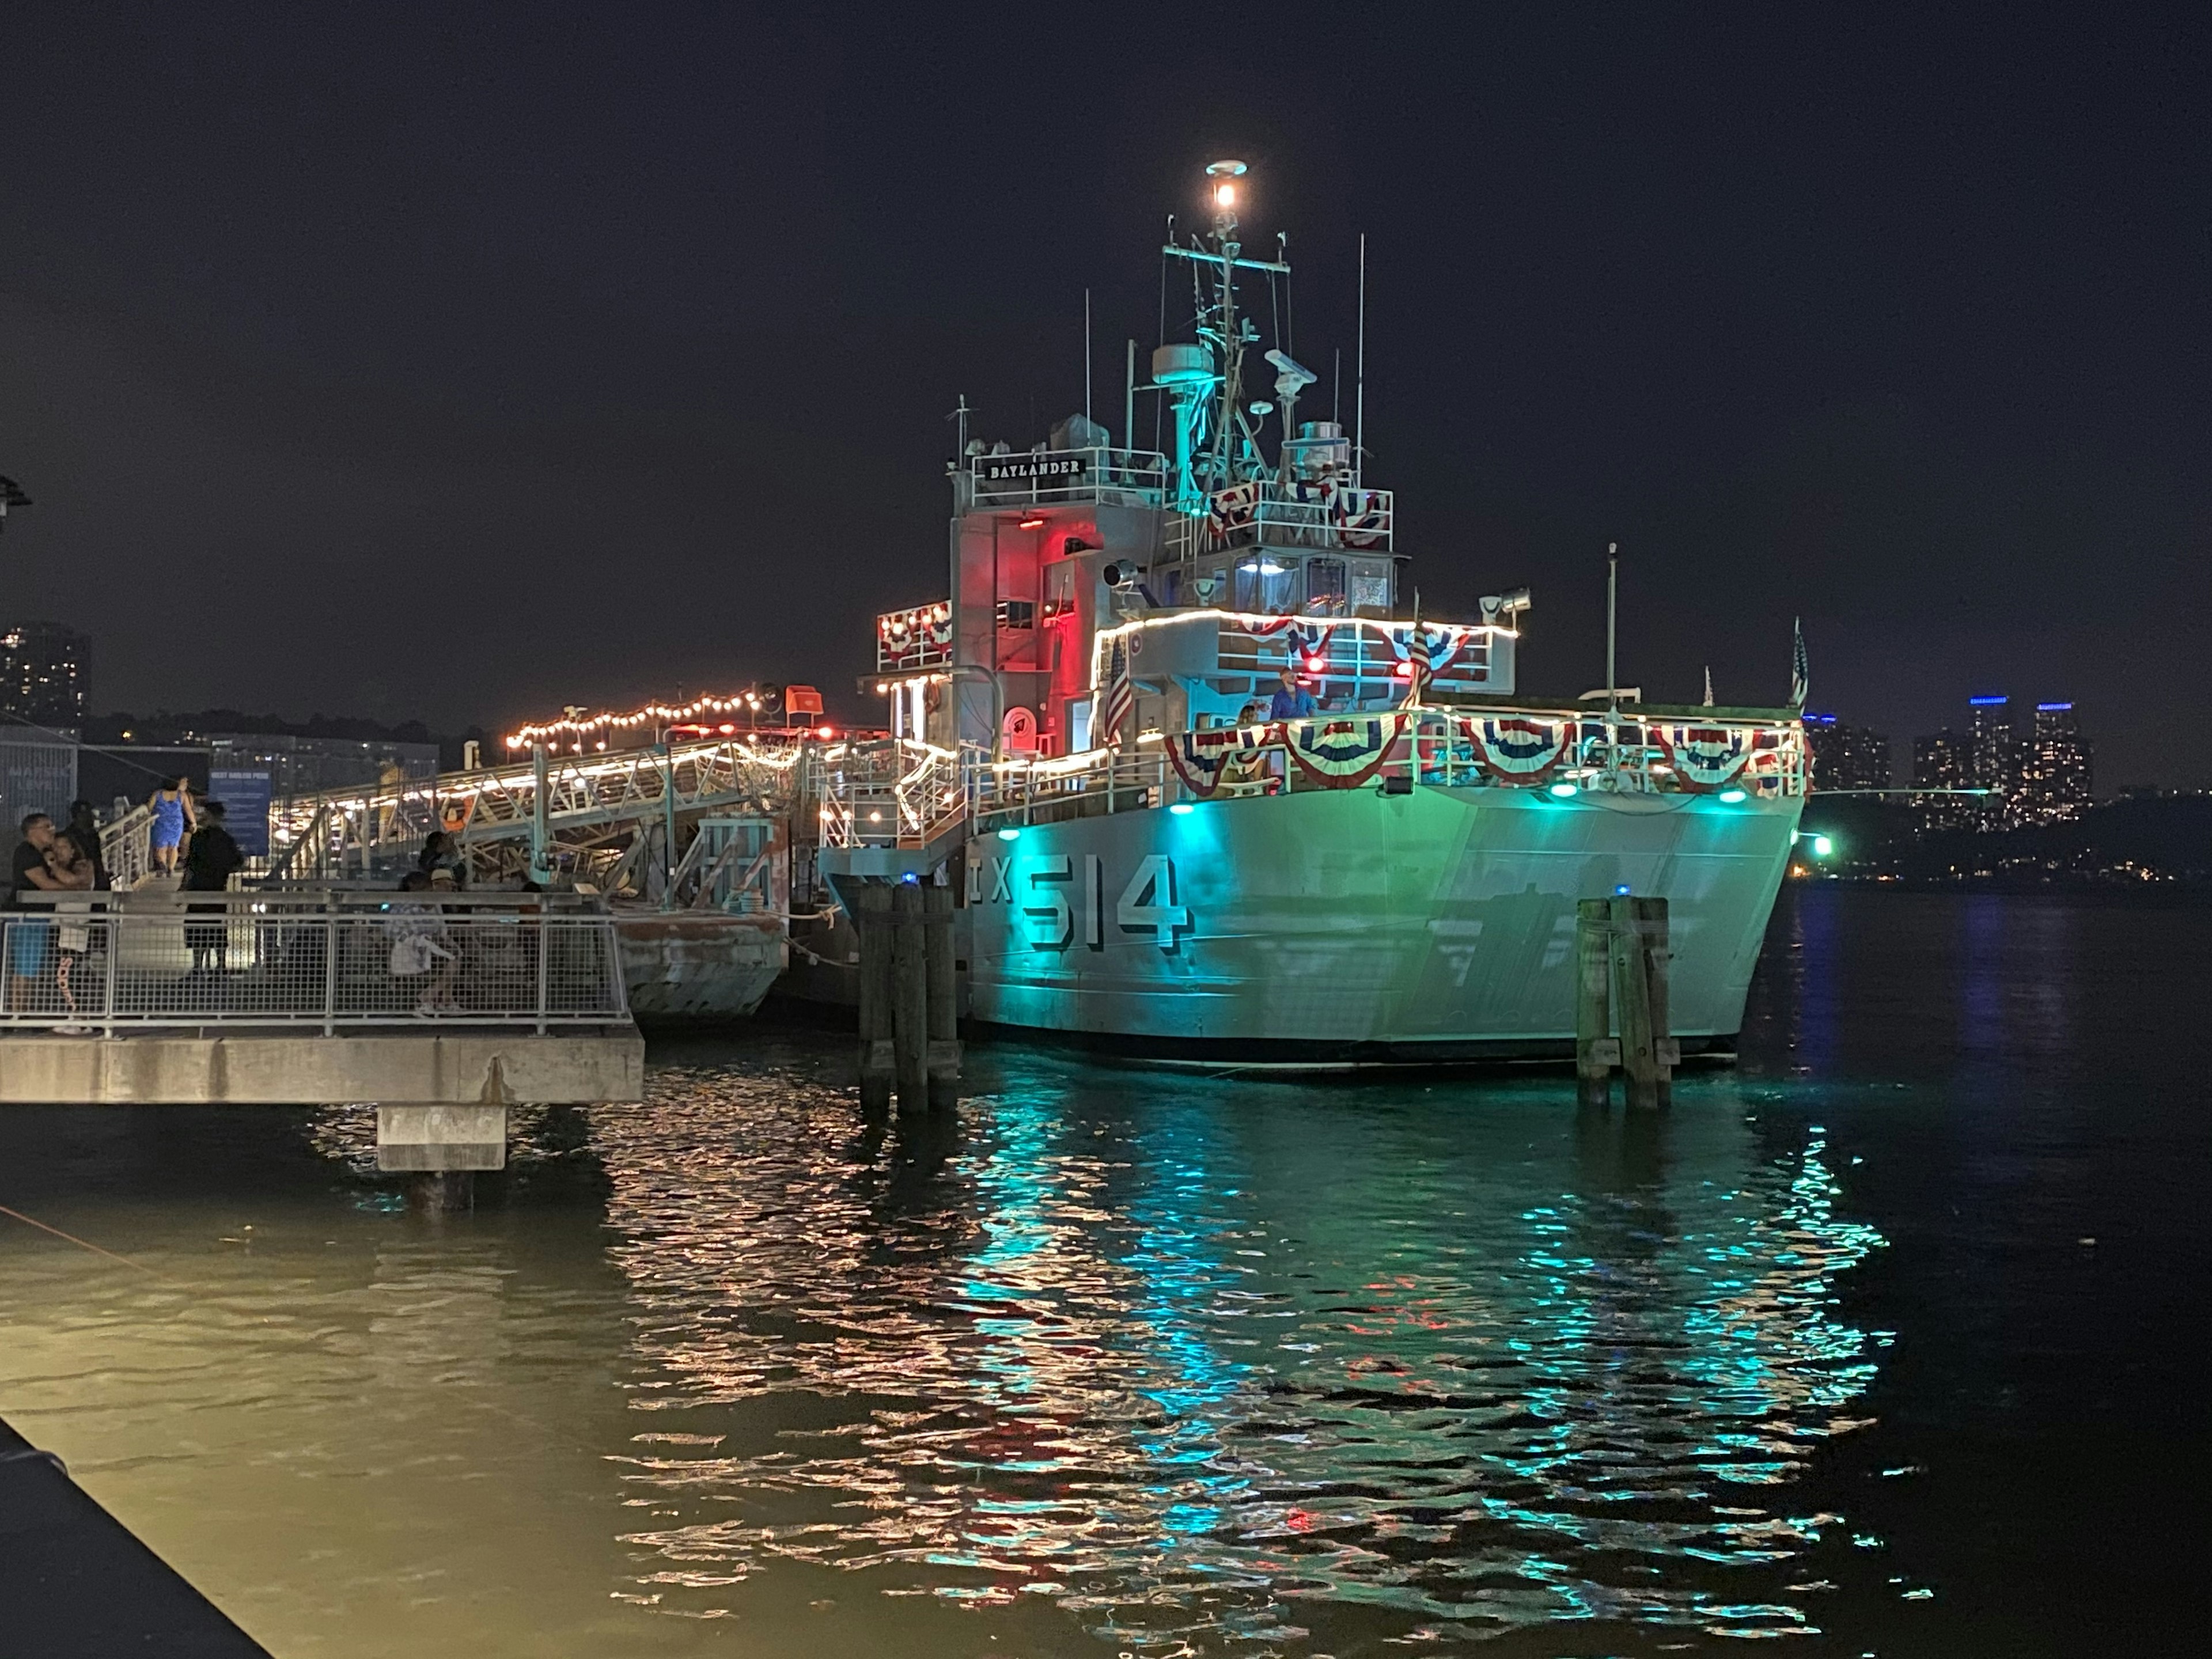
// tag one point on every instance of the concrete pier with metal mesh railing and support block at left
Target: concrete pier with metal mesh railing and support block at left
(298, 999)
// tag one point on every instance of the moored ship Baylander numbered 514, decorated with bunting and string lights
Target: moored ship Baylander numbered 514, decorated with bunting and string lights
(1209, 784)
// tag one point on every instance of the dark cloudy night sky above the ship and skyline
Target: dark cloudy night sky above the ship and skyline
(382, 364)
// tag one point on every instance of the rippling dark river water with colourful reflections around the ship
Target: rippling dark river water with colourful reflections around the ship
(1884, 1342)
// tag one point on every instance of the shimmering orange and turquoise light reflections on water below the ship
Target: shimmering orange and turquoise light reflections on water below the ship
(1231, 1364)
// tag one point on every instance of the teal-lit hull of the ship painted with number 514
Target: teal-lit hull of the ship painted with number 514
(1355, 924)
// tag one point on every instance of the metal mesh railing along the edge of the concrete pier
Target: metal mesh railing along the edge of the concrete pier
(333, 966)
